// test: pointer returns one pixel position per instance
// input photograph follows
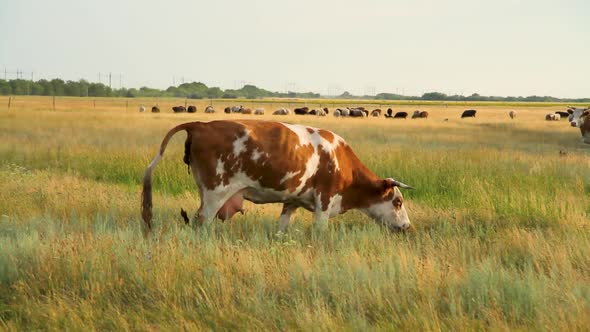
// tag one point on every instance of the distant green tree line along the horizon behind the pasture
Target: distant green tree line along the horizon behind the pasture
(198, 90)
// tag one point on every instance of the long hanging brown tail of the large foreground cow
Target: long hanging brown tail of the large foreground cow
(146, 194)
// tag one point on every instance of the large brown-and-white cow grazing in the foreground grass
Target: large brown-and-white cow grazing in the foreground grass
(273, 162)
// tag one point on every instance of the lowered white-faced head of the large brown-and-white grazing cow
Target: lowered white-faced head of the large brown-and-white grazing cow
(388, 208)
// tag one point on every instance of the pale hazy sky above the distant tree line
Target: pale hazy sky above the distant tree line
(490, 47)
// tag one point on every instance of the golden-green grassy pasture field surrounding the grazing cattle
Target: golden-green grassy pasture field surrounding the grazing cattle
(500, 237)
